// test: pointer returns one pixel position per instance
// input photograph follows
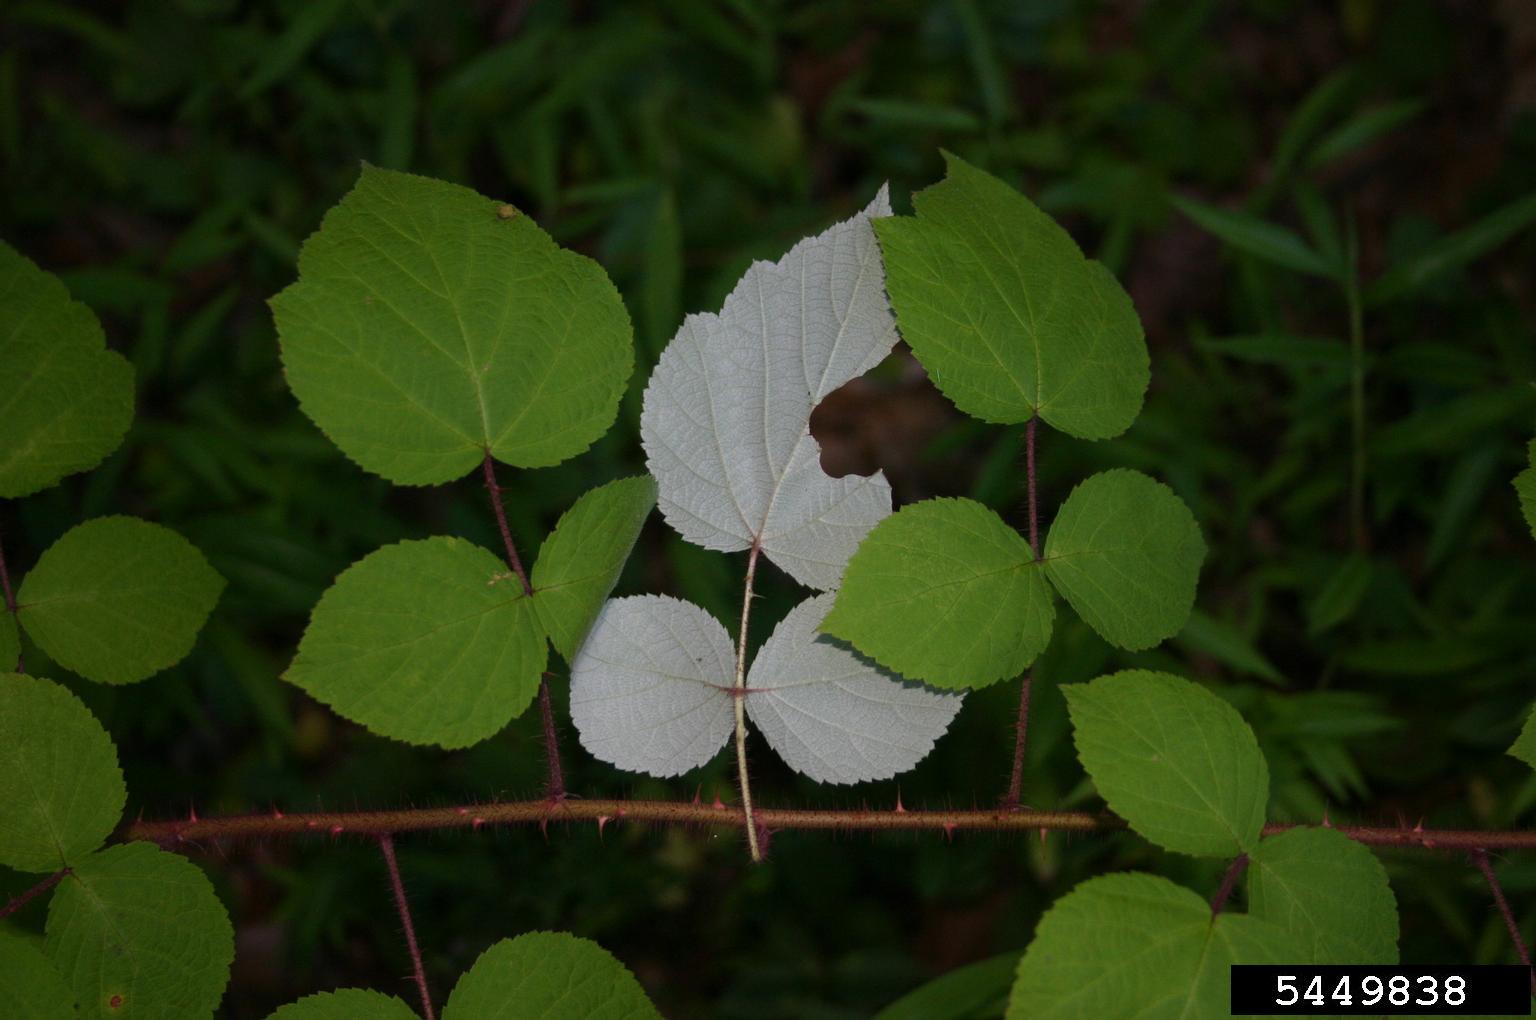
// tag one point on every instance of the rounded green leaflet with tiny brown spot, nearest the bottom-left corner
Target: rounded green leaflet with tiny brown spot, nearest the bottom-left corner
(139, 933)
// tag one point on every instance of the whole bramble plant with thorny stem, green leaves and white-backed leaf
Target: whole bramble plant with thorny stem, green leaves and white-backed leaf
(434, 336)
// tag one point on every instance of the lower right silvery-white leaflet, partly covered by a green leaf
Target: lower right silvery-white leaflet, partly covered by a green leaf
(833, 715)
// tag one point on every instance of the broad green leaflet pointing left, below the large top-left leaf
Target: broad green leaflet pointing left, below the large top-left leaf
(429, 643)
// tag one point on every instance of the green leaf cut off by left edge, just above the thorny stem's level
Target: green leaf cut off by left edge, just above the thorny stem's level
(61, 787)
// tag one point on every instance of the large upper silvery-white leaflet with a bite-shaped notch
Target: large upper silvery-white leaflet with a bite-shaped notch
(727, 412)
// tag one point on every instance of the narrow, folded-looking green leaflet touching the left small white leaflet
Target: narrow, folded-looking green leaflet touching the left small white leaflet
(583, 558)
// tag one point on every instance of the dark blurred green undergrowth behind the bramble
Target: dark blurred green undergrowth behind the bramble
(167, 157)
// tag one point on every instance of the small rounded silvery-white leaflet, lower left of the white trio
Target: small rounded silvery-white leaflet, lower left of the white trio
(650, 686)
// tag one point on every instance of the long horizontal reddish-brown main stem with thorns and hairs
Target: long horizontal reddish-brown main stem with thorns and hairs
(718, 815)
